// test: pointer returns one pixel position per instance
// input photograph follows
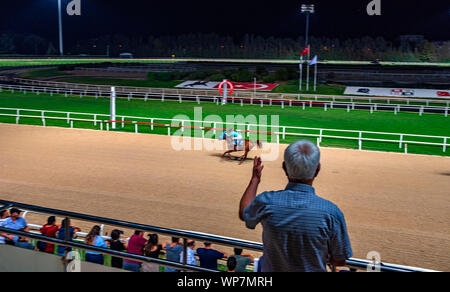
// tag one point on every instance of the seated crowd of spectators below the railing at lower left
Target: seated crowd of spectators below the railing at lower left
(137, 244)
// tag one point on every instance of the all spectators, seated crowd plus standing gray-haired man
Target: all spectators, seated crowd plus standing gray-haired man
(301, 231)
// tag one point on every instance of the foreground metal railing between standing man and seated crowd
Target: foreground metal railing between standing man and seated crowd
(226, 241)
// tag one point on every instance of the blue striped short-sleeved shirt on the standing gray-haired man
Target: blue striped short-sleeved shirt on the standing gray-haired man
(300, 230)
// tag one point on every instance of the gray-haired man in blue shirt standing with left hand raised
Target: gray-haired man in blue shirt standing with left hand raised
(301, 231)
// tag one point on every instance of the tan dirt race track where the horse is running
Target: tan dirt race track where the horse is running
(398, 205)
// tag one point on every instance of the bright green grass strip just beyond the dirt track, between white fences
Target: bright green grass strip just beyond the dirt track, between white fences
(358, 120)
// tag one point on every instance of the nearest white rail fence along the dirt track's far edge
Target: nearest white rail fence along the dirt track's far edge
(317, 133)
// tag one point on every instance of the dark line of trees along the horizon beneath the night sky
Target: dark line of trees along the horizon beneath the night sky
(250, 46)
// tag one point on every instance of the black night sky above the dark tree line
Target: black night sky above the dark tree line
(343, 19)
